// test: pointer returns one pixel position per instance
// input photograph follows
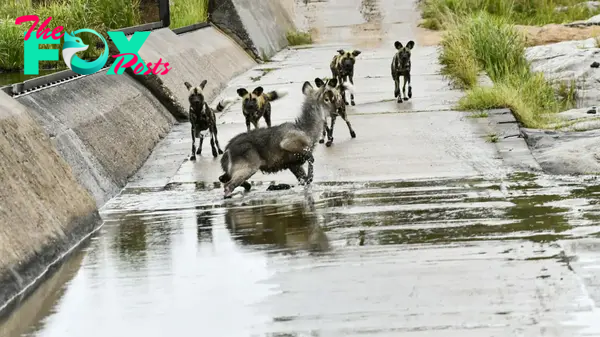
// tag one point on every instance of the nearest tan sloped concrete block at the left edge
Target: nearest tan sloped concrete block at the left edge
(44, 211)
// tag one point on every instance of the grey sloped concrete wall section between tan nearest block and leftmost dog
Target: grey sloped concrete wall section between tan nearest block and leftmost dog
(103, 126)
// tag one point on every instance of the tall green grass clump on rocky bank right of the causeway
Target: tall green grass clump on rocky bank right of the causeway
(482, 42)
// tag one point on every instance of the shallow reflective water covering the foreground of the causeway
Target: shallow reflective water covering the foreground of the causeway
(335, 259)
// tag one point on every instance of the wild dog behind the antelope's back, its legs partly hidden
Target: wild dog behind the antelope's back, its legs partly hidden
(257, 104)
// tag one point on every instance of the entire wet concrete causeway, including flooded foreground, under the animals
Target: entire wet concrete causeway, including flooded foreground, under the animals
(420, 226)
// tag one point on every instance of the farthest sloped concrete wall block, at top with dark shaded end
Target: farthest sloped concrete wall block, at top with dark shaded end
(259, 26)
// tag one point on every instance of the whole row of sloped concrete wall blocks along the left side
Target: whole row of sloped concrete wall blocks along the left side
(71, 142)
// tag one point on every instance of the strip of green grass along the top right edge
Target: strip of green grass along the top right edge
(523, 12)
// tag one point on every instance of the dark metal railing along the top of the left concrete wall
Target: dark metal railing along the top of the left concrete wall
(64, 76)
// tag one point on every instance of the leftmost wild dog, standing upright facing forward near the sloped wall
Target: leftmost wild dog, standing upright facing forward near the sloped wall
(202, 118)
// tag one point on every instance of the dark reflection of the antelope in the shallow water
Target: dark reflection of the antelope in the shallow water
(286, 226)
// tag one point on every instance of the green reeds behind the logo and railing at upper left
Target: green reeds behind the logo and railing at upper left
(99, 15)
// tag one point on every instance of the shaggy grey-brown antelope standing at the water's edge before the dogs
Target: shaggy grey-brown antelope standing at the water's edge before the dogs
(285, 146)
